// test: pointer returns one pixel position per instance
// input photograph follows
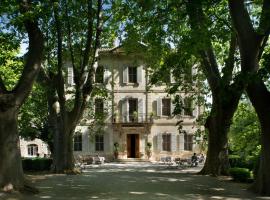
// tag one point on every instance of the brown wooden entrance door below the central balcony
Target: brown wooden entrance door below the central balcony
(133, 146)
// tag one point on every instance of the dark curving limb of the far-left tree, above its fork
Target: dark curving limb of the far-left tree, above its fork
(33, 59)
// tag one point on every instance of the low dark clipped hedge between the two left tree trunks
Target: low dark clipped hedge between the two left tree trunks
(36, 164)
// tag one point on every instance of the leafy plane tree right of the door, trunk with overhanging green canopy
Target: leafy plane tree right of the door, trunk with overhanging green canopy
(178, 31)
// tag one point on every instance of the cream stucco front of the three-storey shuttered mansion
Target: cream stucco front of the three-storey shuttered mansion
(147, 124)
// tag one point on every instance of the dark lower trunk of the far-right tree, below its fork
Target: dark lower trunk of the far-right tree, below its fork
(260, 98)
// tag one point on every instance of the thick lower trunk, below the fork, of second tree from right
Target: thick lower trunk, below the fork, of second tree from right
(217, 125)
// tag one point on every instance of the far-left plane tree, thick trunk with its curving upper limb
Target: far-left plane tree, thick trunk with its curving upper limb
(11, 172)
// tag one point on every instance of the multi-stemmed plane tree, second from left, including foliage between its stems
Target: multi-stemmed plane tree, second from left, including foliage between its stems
(75, 28)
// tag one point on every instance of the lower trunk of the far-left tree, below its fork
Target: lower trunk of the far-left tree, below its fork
(11, 172)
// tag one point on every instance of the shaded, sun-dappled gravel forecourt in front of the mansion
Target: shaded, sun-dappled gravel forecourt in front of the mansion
(135, 181)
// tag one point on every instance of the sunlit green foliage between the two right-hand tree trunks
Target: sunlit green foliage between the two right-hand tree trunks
(244, 135)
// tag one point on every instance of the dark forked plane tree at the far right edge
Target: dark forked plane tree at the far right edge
(252, 42)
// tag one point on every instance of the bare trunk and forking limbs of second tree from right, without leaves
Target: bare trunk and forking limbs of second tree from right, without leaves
(225, 94)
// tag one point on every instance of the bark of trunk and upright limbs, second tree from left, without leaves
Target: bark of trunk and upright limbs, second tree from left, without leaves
(63, 121)
